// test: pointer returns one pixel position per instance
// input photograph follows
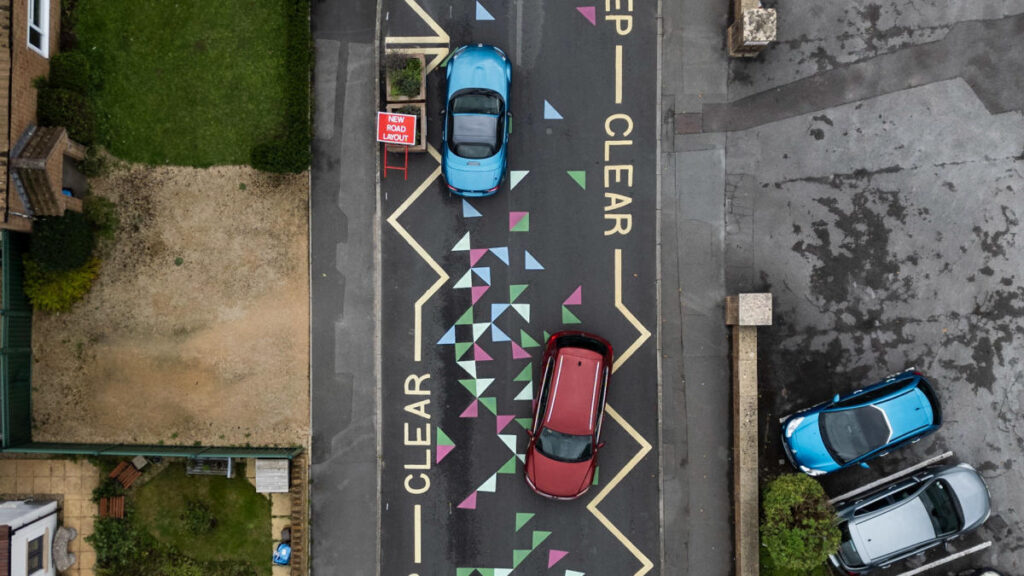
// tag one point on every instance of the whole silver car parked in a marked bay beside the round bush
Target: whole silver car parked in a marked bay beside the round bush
(909, 517)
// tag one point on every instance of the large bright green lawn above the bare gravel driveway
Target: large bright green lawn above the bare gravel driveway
(189, 83)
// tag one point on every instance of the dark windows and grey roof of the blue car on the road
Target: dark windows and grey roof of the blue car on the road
(476, 124)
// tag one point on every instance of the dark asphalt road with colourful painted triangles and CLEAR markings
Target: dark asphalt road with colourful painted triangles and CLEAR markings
(553, 253)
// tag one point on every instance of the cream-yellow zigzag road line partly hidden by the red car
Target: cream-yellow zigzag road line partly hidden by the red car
(646, 564)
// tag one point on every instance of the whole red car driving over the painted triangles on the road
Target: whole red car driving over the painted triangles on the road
(568, 414)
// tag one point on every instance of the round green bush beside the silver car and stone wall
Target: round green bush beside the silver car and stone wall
(799, 527)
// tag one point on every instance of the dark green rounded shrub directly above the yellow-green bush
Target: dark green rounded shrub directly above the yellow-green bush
(62, 243)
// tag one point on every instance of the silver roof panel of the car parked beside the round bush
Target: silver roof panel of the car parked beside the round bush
(892, 531)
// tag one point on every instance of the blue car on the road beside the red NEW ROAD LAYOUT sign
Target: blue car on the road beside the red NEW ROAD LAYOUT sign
(478, 121)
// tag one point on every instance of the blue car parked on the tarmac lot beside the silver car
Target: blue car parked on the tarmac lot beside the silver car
(863, 426)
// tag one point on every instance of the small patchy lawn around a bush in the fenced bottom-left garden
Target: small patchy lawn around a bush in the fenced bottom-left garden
(243, 531)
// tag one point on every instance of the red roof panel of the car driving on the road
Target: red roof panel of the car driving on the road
(575, 392)
